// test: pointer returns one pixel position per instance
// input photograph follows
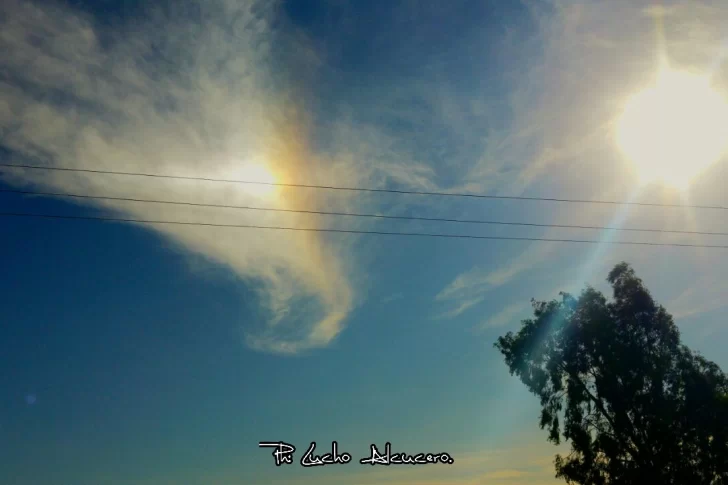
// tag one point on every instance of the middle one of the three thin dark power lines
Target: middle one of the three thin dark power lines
(377, 216)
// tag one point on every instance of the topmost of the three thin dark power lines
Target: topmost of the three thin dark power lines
(362, 189)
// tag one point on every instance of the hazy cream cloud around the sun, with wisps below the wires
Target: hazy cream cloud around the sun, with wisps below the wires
(570, 77)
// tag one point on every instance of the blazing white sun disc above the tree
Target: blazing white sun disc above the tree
(675, 129)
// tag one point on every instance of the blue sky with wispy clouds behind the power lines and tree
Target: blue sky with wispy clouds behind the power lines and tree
(163, 354)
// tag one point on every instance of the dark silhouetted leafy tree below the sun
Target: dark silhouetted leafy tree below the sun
(637, 406)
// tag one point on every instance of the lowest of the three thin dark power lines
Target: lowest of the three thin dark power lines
(352, 231)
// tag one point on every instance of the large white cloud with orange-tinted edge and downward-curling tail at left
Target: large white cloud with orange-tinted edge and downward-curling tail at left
(202, 92)
